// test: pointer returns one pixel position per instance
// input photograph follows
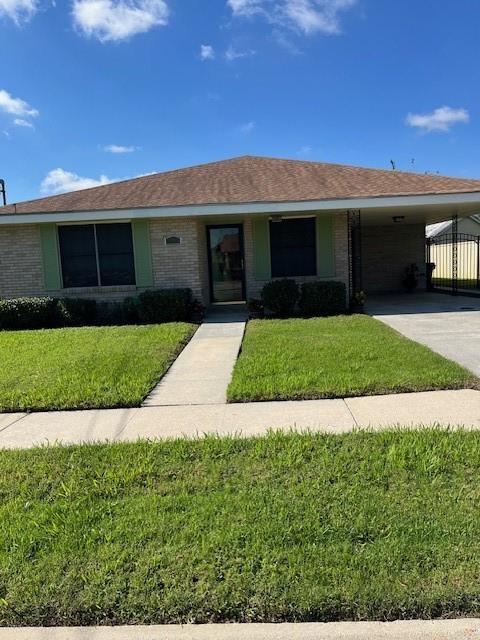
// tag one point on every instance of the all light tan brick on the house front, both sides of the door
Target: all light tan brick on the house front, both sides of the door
(183, 265)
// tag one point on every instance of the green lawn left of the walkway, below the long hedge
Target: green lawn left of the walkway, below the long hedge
(92, 367)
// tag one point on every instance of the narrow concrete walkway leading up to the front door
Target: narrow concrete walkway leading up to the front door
(202, 372)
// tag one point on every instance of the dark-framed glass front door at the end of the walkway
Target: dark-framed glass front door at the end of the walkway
(225, 259)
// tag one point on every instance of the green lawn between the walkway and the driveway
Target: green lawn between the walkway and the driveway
(334, 358)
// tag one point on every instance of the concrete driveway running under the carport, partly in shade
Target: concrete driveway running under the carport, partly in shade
(447, 324)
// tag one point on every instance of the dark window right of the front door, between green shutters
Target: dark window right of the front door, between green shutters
(292, 246)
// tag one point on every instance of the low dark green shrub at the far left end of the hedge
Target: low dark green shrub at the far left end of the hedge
(30, 313)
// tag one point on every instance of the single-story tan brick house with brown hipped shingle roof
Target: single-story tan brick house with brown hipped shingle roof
(226, 228)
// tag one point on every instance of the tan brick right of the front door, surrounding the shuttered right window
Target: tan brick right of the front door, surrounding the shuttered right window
(254, 286)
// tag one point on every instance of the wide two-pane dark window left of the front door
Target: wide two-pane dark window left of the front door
(96, 254)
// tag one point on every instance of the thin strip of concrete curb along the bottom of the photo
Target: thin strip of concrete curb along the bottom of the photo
(400, 630)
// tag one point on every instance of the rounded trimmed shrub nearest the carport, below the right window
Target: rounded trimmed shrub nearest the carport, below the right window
(323, 298)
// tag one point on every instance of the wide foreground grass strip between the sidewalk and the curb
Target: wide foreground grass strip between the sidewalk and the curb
(286, 527)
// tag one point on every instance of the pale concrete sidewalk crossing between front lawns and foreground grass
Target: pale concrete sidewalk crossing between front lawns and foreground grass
(456, 408)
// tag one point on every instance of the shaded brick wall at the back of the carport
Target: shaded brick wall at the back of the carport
(386, 251)
